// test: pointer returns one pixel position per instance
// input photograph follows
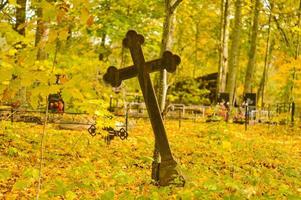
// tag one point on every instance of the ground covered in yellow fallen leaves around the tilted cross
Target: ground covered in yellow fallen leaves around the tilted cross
(218, 160)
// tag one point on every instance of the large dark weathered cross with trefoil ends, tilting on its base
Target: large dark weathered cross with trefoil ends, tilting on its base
(114, 76)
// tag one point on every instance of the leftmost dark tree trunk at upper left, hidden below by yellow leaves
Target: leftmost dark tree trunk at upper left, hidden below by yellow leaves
(20, 17)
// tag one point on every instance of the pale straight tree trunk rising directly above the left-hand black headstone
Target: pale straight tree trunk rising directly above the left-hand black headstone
(224, 38)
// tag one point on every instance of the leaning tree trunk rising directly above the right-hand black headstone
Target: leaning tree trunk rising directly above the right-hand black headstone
(252, 52)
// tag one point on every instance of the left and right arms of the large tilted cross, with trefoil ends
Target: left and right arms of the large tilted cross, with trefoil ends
(115, 76)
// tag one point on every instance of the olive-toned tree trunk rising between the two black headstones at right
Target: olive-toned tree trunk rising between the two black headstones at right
(234, 52)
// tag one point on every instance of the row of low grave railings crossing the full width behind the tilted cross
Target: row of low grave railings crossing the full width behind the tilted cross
(279, 113)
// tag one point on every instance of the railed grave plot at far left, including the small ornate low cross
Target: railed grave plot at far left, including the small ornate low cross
(66, 121)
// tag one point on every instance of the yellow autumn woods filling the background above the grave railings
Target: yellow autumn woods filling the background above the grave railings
(253, 45)
